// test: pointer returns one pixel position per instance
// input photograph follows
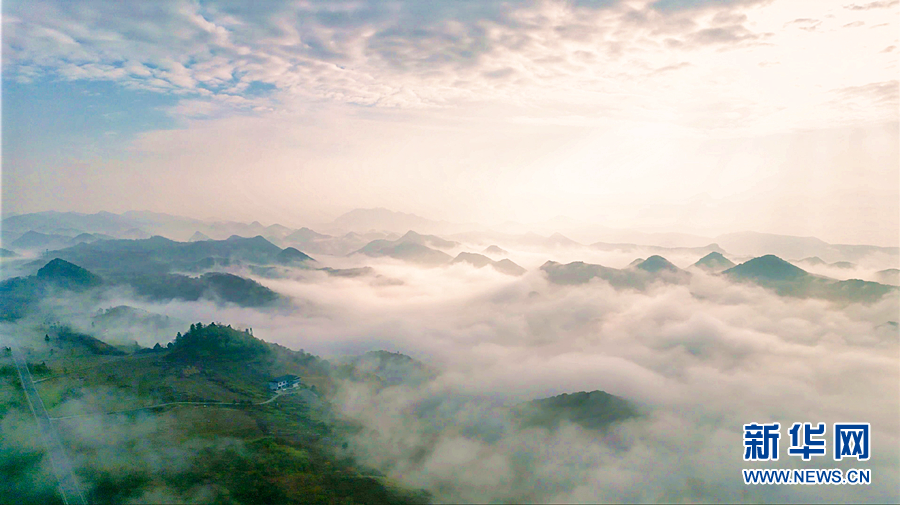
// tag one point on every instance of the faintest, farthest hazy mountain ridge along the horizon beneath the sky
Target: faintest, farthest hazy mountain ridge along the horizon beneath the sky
(62, 229)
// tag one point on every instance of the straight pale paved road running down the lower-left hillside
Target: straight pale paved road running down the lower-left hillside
(62, 466)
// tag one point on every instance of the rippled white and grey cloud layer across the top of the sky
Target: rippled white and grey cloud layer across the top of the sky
(581, 58)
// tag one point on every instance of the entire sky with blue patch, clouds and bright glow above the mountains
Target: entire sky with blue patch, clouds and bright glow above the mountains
(693, 116)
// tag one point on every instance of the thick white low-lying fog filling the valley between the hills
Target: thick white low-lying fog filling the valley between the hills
(701, 359)
